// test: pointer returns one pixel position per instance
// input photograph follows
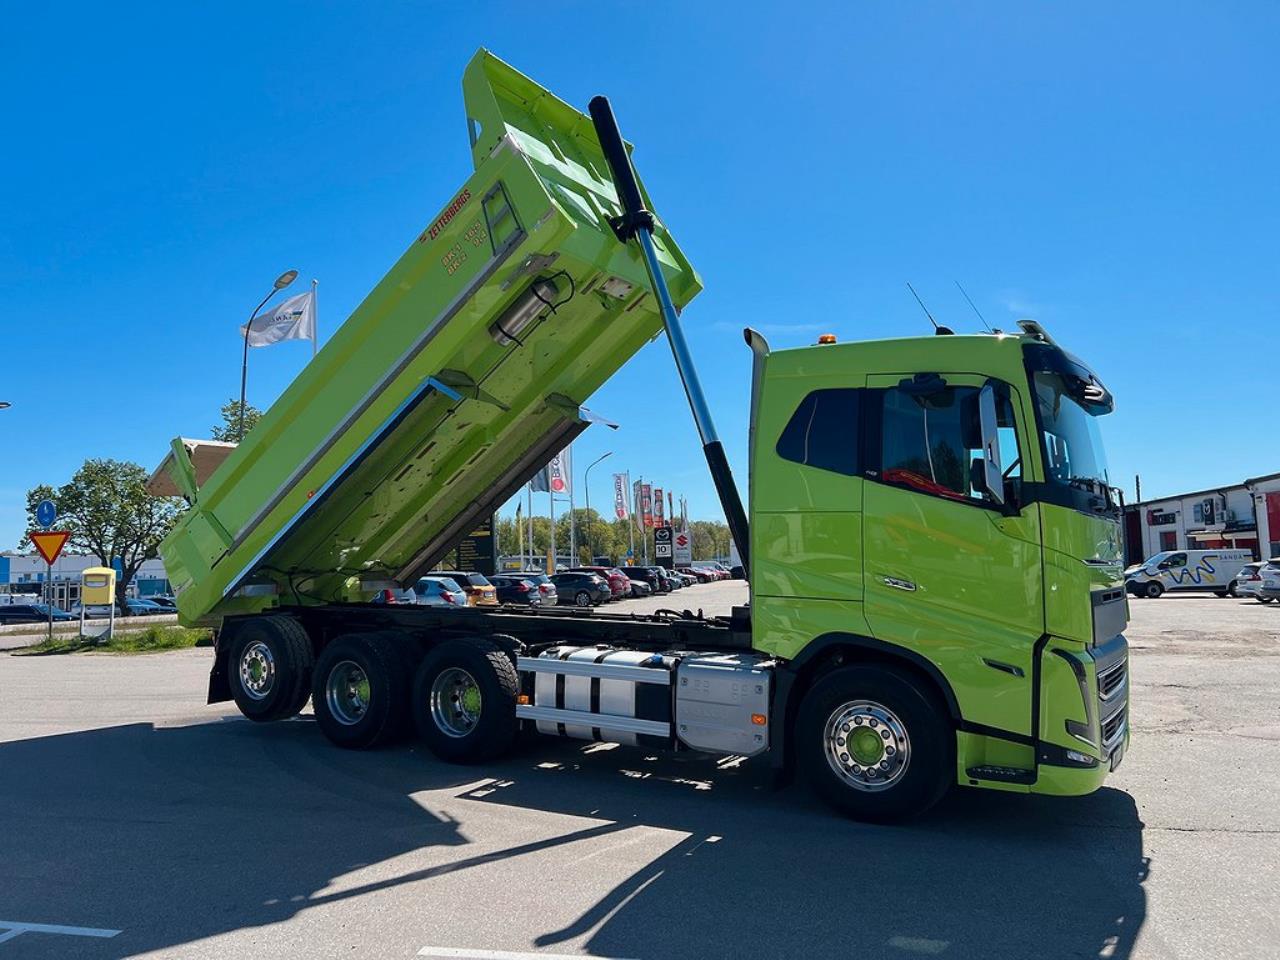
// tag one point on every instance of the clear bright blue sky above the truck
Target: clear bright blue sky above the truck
(1109, 170)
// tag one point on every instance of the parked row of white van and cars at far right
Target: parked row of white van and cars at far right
(1222, 573)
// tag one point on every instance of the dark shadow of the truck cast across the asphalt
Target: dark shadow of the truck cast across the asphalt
(180, 834)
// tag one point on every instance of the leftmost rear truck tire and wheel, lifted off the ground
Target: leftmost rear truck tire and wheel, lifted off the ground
(269, 669)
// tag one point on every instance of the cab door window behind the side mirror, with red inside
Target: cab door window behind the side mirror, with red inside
(930, 441)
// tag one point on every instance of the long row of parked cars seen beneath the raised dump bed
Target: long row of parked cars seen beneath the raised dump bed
(578, 587)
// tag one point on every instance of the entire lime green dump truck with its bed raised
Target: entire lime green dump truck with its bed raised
(934, 550)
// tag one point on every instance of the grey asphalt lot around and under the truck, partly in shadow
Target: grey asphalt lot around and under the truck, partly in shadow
(170, 829)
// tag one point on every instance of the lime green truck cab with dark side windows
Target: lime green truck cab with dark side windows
(941, 506)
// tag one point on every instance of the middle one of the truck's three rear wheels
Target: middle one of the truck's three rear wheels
(360, 691)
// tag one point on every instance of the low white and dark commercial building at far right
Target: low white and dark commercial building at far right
(1244, 516)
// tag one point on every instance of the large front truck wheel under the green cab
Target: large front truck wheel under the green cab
(875, 746)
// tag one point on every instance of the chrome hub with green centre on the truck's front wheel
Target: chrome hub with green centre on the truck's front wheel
(867, 746)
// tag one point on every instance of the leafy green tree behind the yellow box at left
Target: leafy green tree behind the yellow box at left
(109, 514)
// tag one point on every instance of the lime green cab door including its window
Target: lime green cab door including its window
(947, 572)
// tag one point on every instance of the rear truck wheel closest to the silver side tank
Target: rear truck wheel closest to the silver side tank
(465, 701)
